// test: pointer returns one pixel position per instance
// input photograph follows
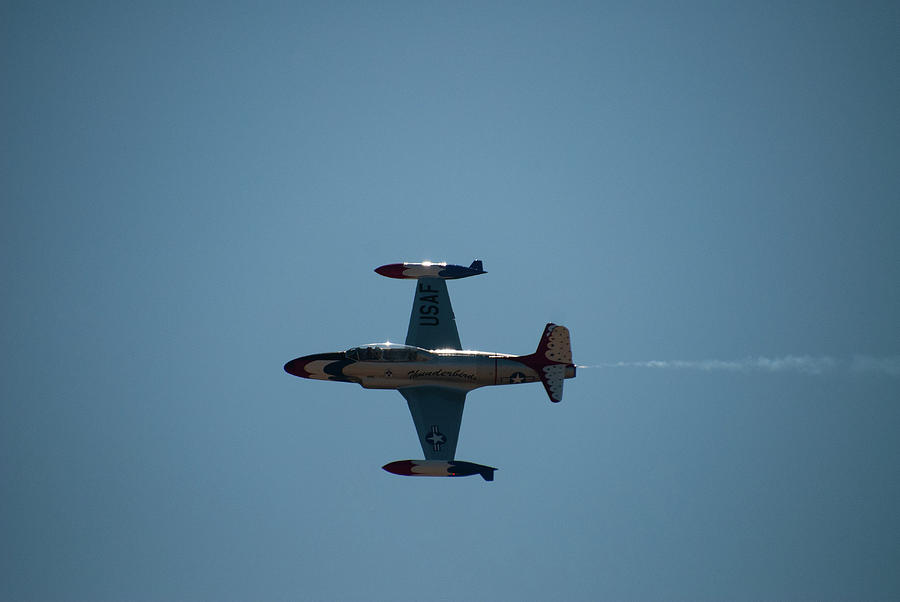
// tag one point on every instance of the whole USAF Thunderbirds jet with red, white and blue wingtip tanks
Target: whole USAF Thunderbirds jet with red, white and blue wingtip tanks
(433, 372)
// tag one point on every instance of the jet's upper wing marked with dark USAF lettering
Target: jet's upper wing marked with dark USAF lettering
(431, 323)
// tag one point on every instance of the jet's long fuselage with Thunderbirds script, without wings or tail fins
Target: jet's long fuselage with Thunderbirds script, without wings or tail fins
(390, 366)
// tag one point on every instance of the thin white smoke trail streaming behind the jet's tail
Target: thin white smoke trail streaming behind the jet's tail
(805, 364)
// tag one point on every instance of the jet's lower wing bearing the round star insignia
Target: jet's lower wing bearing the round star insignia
(437, 414)
